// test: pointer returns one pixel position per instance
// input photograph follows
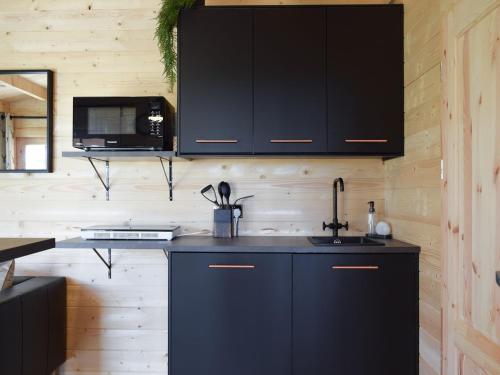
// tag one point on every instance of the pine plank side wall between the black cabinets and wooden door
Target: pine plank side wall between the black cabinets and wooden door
(412, 183)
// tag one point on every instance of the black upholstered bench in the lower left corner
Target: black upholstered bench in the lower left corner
(33, 326)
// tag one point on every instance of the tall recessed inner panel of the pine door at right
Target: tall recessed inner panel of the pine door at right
(482, 147)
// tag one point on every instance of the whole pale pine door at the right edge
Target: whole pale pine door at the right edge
(471, 210)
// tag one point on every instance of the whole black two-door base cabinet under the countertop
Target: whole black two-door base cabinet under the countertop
(293, 314)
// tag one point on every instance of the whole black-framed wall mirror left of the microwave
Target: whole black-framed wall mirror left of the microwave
(26, 121)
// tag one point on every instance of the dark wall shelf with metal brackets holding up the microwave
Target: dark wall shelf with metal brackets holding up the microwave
(106, 156)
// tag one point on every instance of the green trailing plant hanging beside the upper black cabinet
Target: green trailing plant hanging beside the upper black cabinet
(167, 36)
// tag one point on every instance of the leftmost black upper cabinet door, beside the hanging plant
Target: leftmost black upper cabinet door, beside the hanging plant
(215, 81)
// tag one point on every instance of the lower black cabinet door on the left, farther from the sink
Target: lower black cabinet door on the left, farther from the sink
(230, 314)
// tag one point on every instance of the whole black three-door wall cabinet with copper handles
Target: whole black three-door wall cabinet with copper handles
(291, 80)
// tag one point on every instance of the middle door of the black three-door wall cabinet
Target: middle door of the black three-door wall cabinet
(289, 92)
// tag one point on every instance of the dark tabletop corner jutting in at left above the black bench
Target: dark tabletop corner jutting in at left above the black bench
(11, 248)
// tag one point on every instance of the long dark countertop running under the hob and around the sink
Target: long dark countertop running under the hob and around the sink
(249, 244)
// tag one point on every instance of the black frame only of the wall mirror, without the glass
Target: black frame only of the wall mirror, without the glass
(50, 119)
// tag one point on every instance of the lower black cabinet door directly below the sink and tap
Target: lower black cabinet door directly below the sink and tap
(355, 314)
